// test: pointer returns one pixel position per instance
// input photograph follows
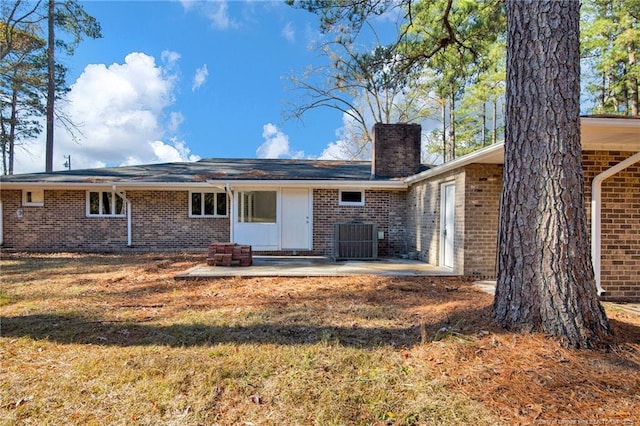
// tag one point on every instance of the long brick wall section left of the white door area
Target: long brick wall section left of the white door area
(160, 222)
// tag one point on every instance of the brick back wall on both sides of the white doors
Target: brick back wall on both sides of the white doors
(160, 222)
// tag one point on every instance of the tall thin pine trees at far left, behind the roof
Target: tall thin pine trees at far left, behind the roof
(30, 78)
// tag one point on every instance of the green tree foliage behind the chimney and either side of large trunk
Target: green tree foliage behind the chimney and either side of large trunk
(449, 57)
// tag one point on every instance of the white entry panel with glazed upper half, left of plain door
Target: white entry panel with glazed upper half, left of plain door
(255, 219)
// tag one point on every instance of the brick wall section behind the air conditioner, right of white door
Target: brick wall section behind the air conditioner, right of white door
(384, 208)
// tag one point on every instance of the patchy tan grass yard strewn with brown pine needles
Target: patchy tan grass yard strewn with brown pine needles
(99, 339)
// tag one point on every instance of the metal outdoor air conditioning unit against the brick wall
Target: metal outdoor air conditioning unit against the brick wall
(355, 240)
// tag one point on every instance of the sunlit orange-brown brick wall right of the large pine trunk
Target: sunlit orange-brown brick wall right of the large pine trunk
(620, 238)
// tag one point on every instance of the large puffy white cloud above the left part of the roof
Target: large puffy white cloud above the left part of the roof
(121, 111)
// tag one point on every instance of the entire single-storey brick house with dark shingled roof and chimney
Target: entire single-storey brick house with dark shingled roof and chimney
(445, 215)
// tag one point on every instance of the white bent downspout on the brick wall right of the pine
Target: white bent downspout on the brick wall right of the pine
(596, 214)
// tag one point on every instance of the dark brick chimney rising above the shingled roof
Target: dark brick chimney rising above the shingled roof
(396, 150)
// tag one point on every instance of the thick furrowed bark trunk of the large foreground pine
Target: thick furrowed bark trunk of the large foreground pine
(545, 276)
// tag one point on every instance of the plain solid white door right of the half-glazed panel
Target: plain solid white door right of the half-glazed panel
(296, 219)
